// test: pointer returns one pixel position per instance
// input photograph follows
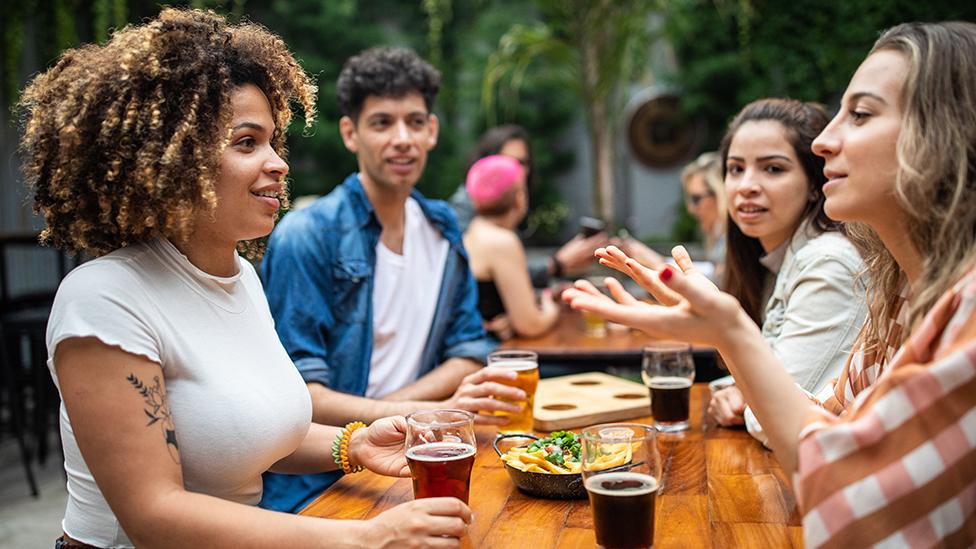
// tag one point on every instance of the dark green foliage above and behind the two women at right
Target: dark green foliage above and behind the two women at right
(731, 52)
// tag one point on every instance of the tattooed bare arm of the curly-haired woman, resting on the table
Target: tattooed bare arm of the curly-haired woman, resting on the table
(137, 468)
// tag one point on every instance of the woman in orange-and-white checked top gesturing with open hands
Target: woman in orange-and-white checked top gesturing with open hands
(890, 457)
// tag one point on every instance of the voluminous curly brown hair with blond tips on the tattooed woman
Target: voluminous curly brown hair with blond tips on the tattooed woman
(122, 141)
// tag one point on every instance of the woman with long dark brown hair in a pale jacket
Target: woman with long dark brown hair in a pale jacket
(789, 265)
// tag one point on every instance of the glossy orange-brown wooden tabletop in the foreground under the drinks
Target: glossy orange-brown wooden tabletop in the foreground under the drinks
(720, 489)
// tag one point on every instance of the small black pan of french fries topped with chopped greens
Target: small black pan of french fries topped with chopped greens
(550, 467)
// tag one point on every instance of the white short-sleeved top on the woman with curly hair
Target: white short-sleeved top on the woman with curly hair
(238, 403)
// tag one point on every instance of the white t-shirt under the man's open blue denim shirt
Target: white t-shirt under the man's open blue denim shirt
(404, 299)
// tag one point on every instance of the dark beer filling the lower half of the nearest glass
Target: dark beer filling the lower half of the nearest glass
(623, 509)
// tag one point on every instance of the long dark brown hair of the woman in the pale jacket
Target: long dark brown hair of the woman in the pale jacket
(802, 122)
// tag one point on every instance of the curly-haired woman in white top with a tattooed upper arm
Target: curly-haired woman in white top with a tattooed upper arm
(161, 153)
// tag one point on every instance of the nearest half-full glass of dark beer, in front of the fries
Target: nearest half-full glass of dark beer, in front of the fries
(622, 474)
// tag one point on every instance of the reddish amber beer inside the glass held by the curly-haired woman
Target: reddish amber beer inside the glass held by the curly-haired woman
(441, 469)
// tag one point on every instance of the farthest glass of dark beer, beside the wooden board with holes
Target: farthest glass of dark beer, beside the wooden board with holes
(668, 370)
